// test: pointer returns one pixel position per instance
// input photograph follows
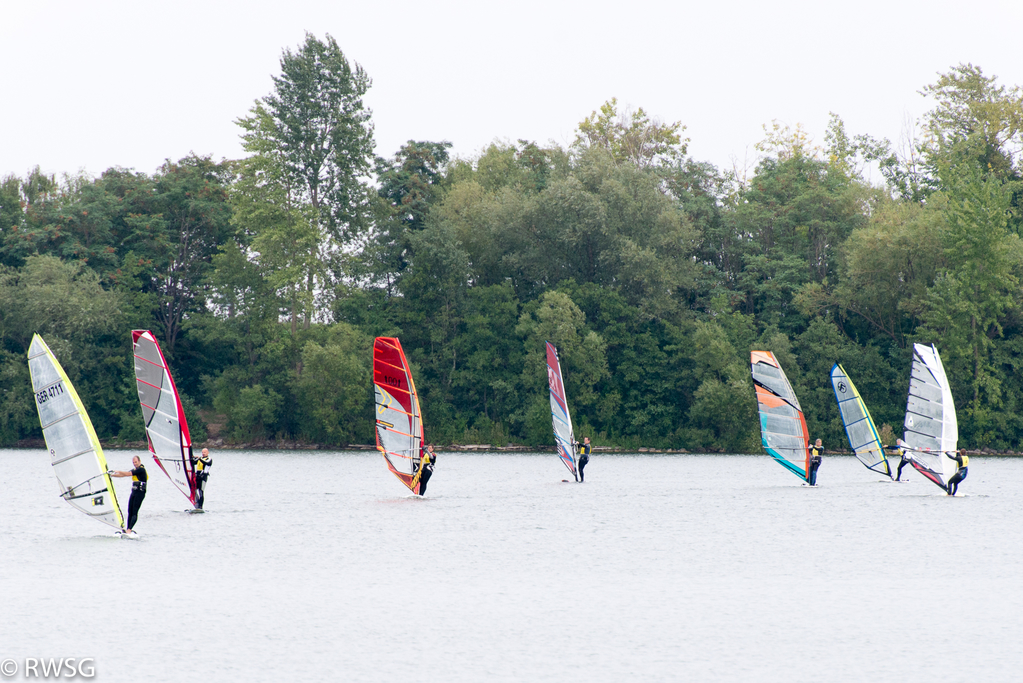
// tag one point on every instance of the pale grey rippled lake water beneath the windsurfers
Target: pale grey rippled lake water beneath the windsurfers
(318, 566)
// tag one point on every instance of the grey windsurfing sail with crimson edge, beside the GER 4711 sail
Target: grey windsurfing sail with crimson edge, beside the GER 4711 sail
(166, 428)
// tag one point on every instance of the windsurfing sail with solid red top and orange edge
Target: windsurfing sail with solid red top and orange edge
(399, 423)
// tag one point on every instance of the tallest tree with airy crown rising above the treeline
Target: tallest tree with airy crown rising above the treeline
(314, 141)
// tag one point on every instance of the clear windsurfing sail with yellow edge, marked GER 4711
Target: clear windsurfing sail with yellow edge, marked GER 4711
(75, 451)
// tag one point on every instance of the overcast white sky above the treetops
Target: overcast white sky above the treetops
(91, 84)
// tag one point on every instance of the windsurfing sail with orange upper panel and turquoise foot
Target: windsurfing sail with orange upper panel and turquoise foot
(783, 428)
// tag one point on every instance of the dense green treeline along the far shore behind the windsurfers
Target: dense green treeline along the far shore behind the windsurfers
(268, 279)
